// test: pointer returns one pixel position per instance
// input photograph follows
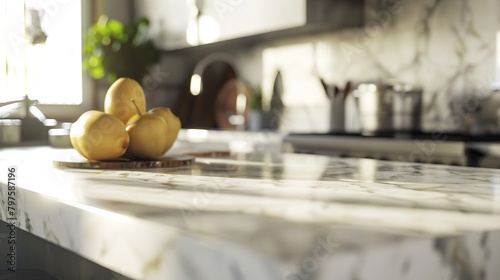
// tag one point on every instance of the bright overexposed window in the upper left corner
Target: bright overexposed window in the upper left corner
(40, 51)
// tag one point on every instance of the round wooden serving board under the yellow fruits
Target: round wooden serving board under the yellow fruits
(172, 161)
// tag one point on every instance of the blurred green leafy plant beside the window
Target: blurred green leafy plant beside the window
(113, 50)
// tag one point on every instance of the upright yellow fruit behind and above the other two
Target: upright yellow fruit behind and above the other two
(118, 99)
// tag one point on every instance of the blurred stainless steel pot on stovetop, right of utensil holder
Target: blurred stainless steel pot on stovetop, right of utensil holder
(388, 108)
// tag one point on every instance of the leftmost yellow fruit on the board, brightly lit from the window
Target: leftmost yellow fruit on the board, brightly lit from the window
(99, 136)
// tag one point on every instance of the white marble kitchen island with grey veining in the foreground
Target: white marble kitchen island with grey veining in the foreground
(263, 216)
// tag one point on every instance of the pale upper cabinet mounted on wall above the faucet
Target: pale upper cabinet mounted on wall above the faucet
(179, 24)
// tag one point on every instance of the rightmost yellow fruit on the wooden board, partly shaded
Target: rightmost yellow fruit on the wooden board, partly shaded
(147, 137)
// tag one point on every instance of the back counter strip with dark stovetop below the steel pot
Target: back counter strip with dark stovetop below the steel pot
(422, 147)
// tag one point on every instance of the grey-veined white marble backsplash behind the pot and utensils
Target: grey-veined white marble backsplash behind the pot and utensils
(447, 47)
